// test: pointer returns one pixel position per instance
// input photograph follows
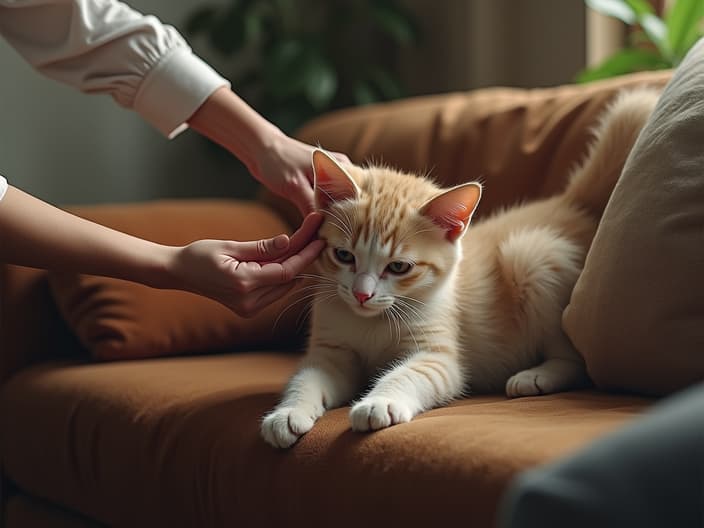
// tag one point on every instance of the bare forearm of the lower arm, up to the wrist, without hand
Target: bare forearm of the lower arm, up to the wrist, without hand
(36, 234)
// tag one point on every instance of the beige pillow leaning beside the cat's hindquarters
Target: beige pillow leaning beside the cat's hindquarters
(637, 311)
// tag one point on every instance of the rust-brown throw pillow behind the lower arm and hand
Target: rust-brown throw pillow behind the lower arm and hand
(117, 319)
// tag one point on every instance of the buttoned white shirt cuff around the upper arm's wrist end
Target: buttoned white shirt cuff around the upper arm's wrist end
(174, 89)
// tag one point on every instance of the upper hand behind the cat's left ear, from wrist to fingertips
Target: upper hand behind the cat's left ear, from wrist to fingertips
(284, 166)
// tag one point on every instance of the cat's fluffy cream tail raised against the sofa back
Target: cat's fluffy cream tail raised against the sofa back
(591, 182)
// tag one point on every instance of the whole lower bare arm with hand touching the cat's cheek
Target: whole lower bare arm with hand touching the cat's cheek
(245, 276)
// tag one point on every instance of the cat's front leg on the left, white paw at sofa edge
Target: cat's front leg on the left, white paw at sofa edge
(327, 378)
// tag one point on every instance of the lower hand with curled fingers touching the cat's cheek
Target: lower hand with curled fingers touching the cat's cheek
(247, 276)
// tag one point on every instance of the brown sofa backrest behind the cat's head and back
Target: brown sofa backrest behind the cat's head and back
(521, 143)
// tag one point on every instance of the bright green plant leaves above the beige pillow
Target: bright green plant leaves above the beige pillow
(654, 42)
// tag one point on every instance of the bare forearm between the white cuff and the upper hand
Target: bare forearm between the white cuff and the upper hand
(229, 121)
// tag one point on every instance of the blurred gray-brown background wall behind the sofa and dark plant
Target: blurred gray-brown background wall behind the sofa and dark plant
(69, 148)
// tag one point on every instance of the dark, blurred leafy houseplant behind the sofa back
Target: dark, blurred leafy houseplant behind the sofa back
(293, 59)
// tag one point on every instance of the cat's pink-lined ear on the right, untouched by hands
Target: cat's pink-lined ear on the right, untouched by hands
(453, 209)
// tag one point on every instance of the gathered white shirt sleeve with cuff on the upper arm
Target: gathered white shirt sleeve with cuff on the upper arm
(104, 46)
